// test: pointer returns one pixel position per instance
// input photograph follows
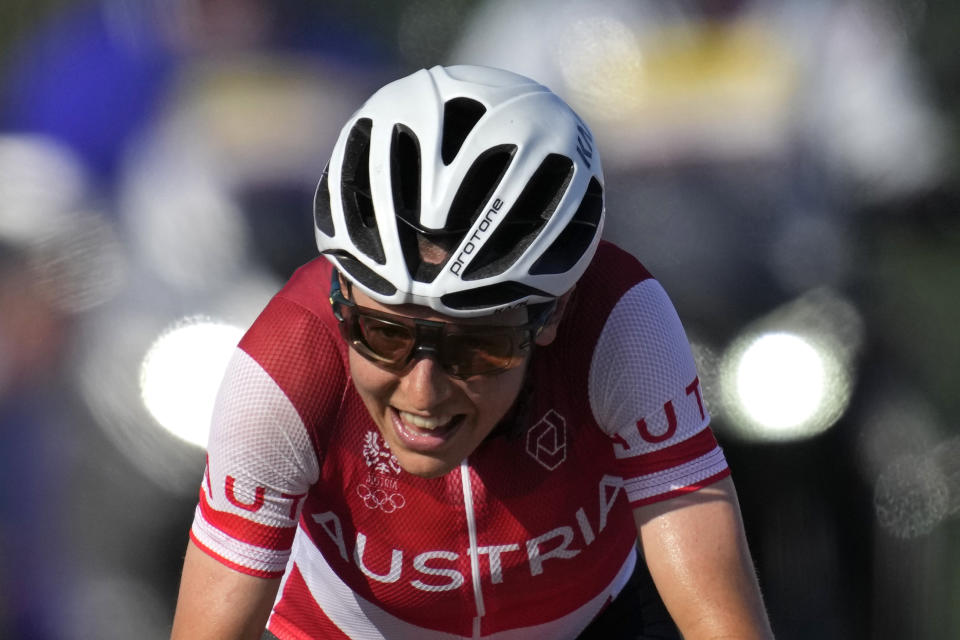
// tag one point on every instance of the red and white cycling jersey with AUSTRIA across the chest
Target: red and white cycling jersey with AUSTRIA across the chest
(530, 537)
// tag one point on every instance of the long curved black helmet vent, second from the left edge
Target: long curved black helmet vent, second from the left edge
(358, 208)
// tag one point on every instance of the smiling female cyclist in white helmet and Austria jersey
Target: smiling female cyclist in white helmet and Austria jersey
(470, 417)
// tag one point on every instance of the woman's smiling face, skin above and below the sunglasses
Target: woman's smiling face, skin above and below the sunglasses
(430, 419)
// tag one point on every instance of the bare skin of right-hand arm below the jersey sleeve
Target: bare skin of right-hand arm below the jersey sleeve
(697, 553)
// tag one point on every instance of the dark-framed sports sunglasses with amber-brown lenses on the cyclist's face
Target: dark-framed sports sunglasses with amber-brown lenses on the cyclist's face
(392, 342)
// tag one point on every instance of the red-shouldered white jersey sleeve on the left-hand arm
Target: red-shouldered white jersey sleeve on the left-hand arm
(263, 453)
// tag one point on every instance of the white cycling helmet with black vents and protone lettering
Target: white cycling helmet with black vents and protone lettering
(465, 189)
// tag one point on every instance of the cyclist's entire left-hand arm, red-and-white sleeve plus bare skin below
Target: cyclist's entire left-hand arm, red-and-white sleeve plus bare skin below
(262, 460)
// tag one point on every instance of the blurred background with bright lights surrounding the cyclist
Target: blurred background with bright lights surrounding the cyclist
(786, 169)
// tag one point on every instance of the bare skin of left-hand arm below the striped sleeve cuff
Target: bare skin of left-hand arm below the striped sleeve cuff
(218, 603)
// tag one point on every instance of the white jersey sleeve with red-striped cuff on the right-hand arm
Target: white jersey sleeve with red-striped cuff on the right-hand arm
(645, 394)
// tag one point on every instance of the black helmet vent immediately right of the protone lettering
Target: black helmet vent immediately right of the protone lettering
(526, 218)
